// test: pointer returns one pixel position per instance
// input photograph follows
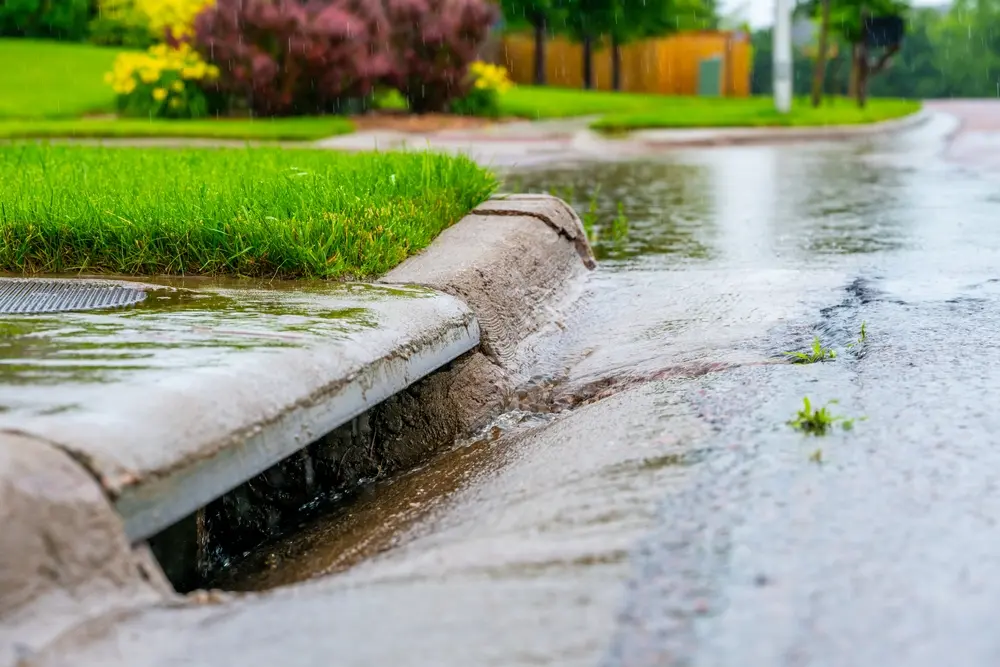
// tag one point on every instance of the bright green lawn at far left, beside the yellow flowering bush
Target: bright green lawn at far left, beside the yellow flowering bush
(45, 79)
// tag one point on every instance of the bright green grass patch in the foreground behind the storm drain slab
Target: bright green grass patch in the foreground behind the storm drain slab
(248, 211)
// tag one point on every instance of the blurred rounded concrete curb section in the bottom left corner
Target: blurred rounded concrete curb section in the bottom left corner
(50, 580)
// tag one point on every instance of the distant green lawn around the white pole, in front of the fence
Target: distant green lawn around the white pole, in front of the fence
(629, 111)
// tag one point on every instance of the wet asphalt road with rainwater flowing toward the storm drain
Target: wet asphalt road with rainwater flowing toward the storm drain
(674, 518)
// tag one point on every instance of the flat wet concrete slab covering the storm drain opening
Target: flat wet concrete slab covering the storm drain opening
(182, 398)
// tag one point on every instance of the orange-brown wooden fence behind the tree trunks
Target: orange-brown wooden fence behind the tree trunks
(668, 66)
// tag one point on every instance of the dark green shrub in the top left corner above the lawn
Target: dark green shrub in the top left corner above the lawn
(59, 19)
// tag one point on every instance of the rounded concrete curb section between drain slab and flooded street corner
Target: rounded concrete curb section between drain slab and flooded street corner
(511, 261)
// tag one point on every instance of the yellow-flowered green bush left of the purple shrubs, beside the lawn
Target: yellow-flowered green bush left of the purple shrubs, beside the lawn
(163, 82)
